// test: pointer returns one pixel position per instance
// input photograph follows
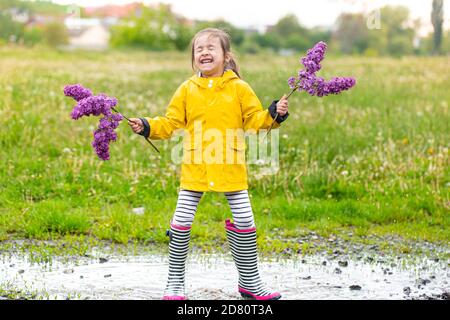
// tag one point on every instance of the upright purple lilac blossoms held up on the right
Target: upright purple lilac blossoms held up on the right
(308, 81)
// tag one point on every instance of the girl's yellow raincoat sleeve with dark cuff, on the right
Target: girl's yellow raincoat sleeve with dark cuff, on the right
(253, 115)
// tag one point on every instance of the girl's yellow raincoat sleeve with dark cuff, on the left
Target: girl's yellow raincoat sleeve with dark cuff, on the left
(162, 127)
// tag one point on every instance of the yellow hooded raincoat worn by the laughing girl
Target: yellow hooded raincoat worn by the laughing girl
(205, 108)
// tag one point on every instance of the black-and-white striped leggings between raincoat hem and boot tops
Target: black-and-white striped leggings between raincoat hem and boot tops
(238, 201)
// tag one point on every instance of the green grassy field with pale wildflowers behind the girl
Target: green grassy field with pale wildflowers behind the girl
(371, 161)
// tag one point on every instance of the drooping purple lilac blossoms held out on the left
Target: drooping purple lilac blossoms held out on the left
(87, 105)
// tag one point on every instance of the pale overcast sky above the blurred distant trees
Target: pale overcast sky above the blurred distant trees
(260, 13)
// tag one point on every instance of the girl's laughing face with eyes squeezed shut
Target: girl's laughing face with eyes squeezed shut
(208, 56)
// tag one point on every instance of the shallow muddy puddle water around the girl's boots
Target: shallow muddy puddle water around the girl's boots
(215, 277)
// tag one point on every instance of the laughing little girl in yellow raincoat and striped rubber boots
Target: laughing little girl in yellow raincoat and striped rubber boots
(214, 99)
